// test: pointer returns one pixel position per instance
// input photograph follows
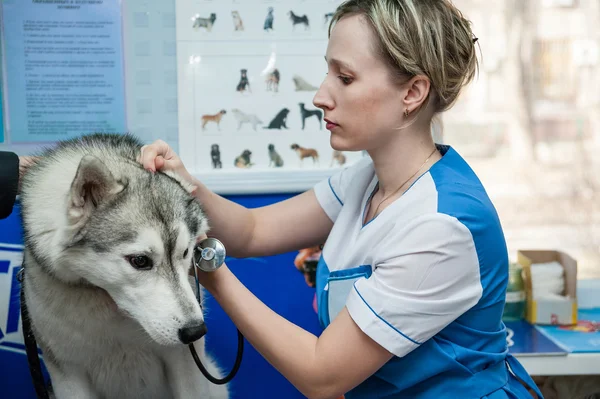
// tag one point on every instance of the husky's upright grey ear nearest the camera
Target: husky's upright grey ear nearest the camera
(93, 184)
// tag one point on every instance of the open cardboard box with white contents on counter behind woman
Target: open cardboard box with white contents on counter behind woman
(549, 311)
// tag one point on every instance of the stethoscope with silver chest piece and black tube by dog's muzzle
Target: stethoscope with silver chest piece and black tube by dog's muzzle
(209, 255)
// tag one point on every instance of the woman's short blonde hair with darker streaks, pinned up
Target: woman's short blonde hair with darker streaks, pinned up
(421, 37)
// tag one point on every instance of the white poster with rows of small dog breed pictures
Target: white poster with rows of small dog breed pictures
(247, 75)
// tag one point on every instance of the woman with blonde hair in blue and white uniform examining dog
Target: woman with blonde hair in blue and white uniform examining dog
(411, 284)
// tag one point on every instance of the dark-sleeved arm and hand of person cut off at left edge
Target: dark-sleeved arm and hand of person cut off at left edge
(12, 168)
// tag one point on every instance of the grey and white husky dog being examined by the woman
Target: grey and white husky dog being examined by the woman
(108, 248)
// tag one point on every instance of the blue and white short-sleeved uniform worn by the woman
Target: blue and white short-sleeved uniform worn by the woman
(426, 279)
